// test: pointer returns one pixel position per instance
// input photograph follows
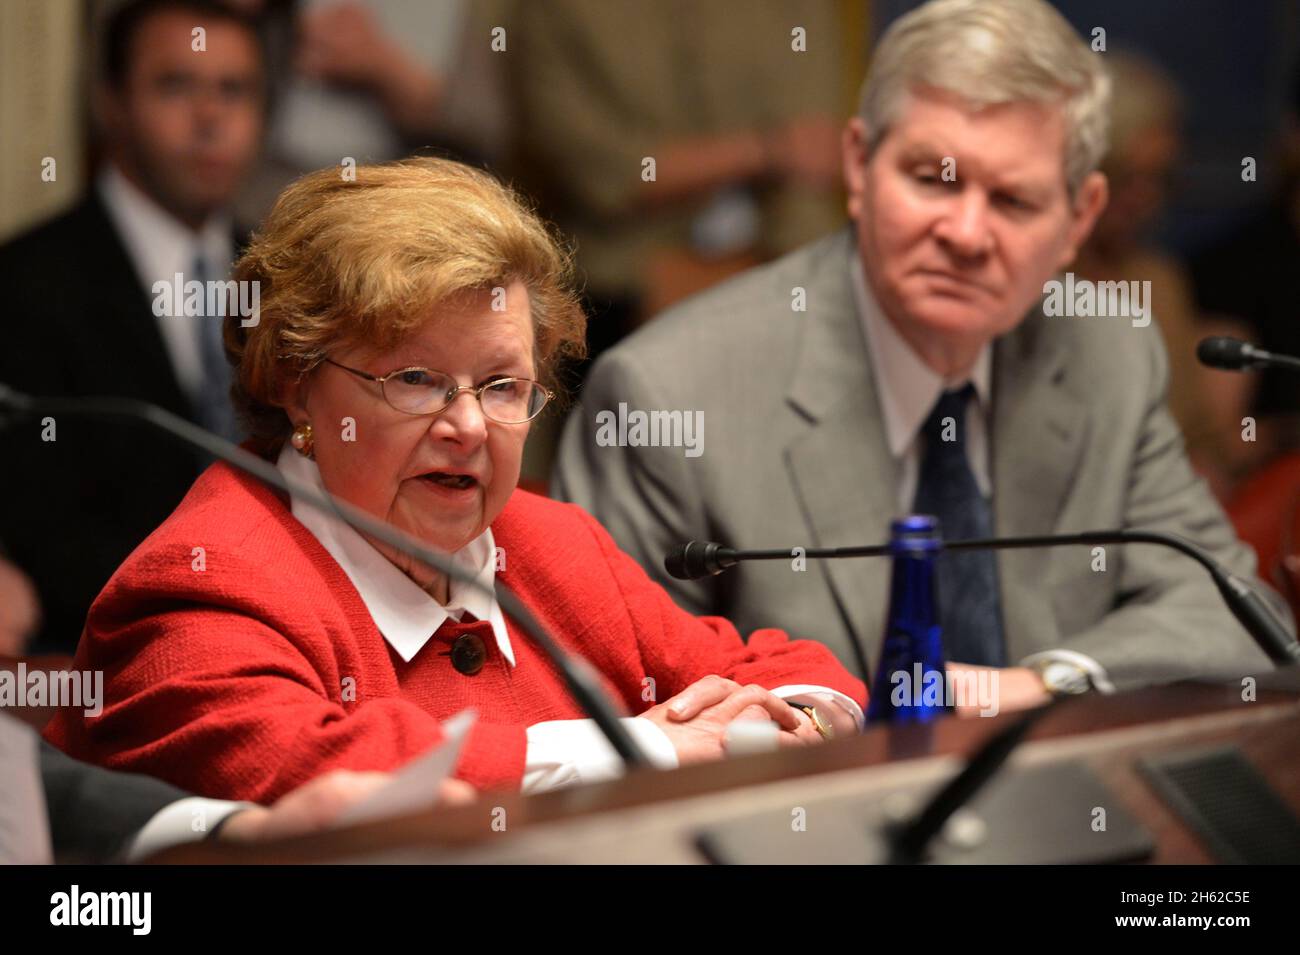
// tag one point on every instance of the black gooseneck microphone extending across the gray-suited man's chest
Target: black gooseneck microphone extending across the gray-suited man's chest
(697, 559)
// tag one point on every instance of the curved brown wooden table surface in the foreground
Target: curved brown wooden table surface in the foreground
(652, 817)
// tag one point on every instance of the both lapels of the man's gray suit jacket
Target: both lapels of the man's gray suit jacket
(847, 481)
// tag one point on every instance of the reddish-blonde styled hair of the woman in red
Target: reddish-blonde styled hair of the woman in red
(343, 263)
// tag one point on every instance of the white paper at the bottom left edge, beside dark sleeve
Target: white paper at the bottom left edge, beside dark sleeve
(24, 823)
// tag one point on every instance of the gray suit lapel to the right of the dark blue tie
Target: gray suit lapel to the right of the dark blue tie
(1039, 432)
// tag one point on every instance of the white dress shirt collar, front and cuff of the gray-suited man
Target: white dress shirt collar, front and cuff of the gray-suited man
(908, 390)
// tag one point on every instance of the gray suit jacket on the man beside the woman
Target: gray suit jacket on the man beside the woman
(795, 454)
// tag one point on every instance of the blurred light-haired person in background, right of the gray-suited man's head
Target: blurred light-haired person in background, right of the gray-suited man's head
(1145, 147)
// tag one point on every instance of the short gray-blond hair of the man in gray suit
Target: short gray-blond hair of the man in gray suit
(993, 53)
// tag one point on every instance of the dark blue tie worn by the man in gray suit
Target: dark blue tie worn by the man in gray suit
(969, 604)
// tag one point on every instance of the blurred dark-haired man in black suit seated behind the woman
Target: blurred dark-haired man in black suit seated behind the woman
(181, 108)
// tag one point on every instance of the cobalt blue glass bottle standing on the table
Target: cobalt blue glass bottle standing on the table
(909, 685)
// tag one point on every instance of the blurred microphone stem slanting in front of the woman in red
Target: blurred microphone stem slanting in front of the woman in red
(579, 676)
